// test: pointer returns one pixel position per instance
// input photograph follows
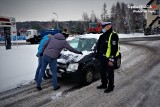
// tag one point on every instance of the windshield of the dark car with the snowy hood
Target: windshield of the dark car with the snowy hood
(83, 44)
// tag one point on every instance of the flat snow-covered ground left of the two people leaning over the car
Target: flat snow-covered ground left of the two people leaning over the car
(17, 65)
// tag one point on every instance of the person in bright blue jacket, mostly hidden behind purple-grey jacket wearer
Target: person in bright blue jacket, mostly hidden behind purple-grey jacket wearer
(40, 54)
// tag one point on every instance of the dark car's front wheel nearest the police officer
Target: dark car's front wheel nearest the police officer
(89, 76)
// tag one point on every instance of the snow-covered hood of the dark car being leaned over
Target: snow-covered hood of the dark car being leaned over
(70, 57)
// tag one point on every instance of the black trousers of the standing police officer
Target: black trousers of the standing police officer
(107, 73)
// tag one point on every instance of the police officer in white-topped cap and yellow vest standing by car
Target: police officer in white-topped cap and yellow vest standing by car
(107, 50)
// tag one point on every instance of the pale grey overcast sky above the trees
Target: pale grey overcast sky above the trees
(41, 10)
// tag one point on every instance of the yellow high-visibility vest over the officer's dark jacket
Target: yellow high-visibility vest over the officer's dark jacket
(108, 53)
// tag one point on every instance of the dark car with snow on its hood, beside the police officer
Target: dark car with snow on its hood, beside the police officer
(82, 68)
